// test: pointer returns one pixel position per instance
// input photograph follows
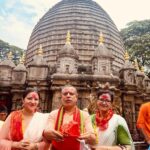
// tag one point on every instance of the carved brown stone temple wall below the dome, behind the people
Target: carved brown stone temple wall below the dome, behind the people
(128, 95)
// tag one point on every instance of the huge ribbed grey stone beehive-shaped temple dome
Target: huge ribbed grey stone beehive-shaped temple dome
(85, 19)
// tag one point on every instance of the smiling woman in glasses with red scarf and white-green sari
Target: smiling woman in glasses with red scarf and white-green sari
(111, 129)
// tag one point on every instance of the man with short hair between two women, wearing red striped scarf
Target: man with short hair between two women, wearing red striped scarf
(69, 127)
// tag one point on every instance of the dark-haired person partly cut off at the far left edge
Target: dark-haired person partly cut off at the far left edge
(3, 114)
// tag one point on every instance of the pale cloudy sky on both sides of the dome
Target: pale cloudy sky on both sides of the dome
(18, 17)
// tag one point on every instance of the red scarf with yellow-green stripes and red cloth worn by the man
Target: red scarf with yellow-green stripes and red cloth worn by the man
(71, 131)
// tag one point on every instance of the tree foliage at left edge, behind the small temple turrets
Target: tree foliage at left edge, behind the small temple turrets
(5, 48)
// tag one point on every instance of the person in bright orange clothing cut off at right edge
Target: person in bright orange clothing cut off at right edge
(143, 121)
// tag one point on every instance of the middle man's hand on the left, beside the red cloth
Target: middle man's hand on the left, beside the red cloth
(53, 135)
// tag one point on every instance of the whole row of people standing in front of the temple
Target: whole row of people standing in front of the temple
(68, 128)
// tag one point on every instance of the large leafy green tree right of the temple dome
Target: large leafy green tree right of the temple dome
(136, 39)
